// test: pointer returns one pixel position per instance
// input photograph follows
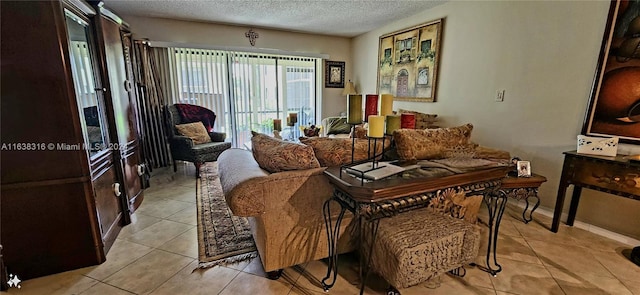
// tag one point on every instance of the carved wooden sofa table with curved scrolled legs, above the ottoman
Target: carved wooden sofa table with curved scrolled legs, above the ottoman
(371, 201)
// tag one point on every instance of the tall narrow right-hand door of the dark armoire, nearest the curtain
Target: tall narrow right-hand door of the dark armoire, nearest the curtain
(118, 66)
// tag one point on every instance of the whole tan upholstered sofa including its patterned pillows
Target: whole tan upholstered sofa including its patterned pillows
(284, 201)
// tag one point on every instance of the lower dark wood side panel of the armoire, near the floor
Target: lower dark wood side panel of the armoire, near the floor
(46, 229)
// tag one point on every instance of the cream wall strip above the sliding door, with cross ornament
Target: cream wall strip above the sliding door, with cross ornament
(166, 30)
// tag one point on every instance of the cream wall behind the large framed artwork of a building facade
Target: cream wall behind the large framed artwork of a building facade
(544, 53)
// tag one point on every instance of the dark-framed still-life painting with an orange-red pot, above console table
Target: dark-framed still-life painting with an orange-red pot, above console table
(614, 105)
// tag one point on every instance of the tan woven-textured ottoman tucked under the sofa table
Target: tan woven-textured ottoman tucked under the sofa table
(418, 245)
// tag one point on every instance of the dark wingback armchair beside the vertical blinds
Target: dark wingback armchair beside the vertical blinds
(182, 147)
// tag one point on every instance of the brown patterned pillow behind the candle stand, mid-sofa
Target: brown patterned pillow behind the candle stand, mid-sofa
(337, 151)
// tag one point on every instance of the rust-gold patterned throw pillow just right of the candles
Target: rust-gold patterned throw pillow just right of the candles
(425, 144)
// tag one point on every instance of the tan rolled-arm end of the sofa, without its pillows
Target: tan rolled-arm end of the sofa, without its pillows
(283, 208)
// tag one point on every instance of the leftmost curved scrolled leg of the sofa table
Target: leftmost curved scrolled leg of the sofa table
(333, 232)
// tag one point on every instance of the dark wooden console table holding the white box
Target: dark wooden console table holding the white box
(614, 175)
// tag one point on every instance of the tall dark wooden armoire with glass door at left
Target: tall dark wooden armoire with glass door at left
(70, 160)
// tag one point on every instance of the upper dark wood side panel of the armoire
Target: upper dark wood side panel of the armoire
(38, 105)
